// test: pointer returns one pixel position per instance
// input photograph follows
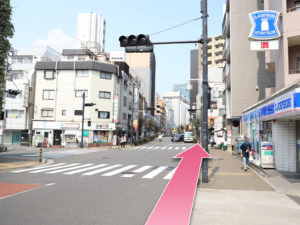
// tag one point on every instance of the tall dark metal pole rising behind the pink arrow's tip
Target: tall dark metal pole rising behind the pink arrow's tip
(205, 91)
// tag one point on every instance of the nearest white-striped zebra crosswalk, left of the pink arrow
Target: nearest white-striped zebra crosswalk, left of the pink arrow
(105, 170)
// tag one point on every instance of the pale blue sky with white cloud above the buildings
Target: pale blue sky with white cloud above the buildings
(53, 23)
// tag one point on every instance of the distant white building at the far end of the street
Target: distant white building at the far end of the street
(178, 104)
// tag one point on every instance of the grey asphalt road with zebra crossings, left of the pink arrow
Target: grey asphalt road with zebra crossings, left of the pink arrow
(122, 190)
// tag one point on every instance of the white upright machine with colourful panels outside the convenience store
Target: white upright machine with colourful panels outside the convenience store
(267, 155)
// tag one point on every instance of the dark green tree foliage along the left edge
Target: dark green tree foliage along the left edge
(6, 32)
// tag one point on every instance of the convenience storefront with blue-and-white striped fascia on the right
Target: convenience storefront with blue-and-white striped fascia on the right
(273, 127)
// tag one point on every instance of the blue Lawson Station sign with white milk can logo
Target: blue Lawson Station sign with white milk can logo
(264, 25)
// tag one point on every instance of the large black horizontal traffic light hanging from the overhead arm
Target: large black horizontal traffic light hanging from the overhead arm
(139, 43)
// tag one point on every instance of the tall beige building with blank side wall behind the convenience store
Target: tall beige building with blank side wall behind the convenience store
(244, 73)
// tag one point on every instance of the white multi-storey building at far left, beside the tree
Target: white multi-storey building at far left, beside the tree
(19, 110)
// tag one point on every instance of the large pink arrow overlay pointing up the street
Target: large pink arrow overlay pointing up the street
(175, 204)
